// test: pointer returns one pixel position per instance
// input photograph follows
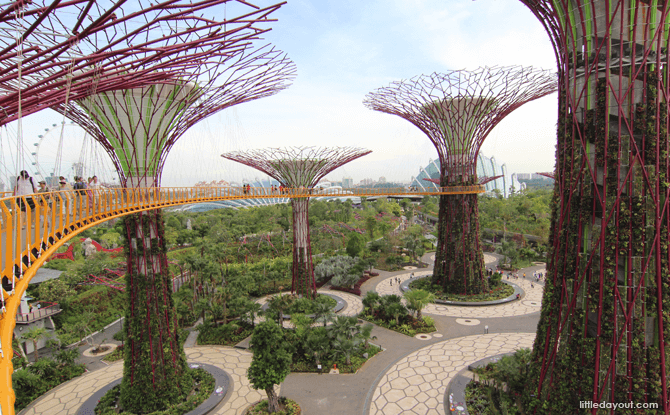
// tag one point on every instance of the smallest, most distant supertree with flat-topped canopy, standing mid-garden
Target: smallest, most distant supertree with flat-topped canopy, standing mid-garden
(299, 168)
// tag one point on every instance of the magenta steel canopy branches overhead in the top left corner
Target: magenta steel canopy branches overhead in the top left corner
(53, 51)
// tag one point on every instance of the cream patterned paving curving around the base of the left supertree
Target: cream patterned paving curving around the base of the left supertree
(66, 399)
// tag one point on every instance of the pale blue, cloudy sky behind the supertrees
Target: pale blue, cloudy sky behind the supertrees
(345, 49)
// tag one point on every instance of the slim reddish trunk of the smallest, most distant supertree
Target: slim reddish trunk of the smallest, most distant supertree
(303, 269)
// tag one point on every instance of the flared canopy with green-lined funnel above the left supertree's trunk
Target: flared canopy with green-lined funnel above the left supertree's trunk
(230, 72)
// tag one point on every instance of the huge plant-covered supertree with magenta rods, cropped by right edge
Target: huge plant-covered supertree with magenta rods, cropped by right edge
(606, 310)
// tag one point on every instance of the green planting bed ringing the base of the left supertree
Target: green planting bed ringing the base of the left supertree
(203, 386)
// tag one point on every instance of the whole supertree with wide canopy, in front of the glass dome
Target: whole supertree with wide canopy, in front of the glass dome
(457, 110)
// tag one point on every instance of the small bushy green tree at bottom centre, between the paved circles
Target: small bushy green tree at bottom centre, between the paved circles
(271, 362)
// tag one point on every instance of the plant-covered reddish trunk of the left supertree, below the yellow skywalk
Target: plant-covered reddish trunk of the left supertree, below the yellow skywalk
(154, 365)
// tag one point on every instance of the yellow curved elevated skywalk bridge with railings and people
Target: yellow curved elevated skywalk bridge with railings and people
(33, 227)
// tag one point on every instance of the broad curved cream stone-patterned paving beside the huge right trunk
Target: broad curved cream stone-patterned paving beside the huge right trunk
(416, 383)
